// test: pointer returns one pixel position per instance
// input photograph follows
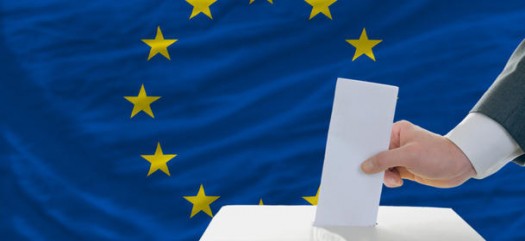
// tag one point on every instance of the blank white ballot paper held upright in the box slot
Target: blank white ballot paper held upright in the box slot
(360, 126)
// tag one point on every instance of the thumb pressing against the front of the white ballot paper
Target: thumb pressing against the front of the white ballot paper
(386, 159)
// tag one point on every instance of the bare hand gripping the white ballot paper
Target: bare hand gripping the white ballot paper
(421, 156)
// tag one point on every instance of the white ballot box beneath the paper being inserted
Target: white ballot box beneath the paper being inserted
(295, 223)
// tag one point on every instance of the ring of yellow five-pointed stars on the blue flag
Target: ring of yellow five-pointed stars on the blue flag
(159, 45)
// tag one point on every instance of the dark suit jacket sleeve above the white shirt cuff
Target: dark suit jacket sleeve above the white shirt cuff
(504, 101)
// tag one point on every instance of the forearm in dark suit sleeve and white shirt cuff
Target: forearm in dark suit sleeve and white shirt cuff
(494, 132)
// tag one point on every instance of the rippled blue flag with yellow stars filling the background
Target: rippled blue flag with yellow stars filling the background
(235, 106)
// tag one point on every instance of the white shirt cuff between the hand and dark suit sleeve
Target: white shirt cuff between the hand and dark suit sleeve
(486, 143)
